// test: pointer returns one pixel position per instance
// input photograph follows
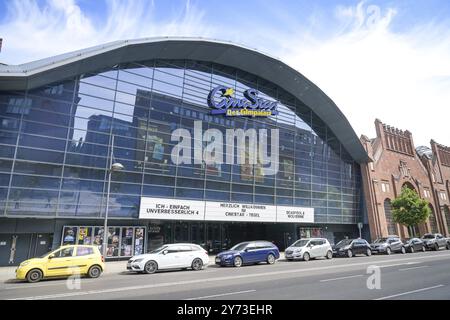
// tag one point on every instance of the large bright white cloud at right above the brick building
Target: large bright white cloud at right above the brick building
(372, 72)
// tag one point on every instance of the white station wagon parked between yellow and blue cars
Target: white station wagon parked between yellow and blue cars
(170, 256)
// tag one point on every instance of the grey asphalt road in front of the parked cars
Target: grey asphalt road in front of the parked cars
(410, 276)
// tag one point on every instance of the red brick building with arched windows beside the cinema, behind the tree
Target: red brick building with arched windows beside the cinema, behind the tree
(397, 164)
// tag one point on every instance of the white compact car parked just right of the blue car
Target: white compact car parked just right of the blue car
(306, 249)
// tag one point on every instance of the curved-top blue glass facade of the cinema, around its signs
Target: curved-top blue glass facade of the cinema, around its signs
(55, 140)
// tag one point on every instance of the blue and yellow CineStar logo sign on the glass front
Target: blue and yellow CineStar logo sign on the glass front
(221, 99)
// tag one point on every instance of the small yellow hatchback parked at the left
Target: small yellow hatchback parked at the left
(65, 261)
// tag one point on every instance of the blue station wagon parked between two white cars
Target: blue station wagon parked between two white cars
(252, 252)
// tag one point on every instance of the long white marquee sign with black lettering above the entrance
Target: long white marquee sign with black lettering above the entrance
(174, 209)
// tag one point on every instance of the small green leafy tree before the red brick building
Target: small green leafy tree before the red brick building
(409, 209)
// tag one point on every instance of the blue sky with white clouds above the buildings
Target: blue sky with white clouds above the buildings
(375, 59)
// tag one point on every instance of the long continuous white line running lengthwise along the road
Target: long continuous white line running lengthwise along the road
(227, 278)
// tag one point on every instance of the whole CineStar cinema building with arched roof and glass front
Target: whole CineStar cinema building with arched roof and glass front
(58, 117)
